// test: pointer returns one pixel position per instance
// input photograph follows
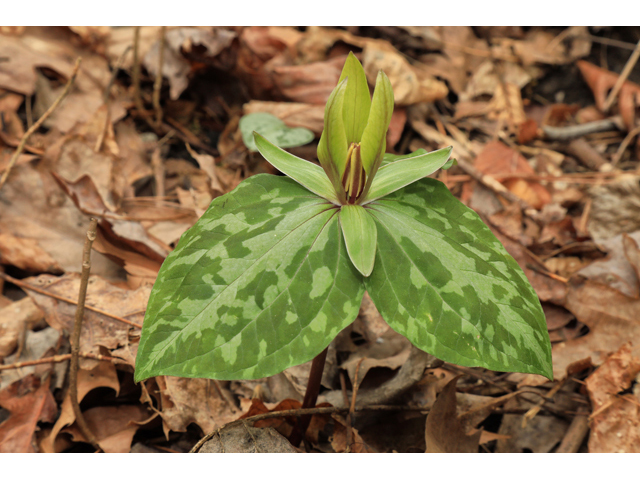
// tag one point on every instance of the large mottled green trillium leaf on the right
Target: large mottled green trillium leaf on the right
(445, 282)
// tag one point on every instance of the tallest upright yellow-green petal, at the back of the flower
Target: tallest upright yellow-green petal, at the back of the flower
(357, 99)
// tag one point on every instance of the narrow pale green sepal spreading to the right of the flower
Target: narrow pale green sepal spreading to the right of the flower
(399, 174)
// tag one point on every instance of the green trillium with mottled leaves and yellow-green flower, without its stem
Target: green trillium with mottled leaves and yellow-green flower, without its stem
(275, 269)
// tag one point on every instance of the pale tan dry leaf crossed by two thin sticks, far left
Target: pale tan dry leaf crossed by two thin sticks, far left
(98, 330)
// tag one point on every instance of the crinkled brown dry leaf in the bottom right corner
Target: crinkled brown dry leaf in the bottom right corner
(615, 421)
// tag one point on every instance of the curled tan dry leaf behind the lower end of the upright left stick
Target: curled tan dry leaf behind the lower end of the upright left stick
(103, 375)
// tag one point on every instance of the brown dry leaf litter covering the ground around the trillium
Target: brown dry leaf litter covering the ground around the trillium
(511, 100)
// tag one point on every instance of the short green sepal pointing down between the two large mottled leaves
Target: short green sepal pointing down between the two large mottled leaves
(359, 232)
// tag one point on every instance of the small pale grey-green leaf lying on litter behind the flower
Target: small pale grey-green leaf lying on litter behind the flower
(274, 130)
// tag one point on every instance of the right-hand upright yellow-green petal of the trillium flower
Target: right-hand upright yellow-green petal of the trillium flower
(374, 135)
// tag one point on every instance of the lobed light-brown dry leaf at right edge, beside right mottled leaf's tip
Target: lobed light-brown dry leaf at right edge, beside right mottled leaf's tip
(612, 317)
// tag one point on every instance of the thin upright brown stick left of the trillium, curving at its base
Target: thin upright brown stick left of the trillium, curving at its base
(75, 337)
